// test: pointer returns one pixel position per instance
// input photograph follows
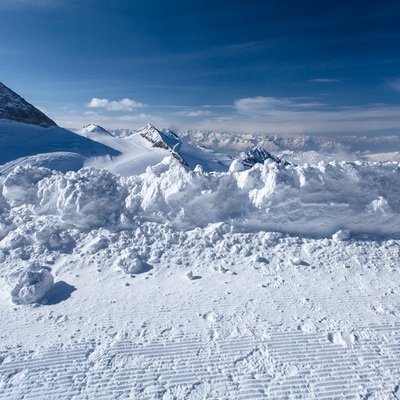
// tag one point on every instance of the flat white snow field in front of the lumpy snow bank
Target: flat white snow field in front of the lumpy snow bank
(327, 327)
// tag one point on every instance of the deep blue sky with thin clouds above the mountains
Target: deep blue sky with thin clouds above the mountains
(275, 67)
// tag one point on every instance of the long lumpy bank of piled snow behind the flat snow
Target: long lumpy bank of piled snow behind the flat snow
(310, 200)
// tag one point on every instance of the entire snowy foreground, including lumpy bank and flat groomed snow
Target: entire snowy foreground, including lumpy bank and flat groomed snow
(276, 282)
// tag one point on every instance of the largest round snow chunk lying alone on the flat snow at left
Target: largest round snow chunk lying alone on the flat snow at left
(32, 286)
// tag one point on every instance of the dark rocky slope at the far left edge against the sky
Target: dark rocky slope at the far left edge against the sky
(15, 108)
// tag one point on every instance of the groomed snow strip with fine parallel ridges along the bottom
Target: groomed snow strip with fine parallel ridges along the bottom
(335, 372)
